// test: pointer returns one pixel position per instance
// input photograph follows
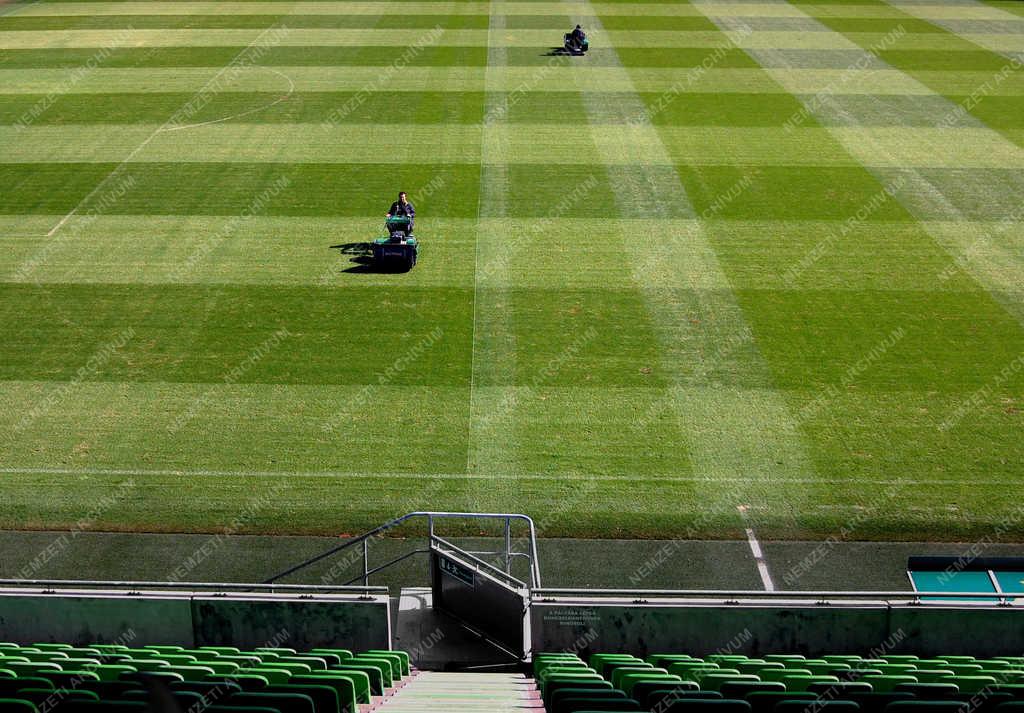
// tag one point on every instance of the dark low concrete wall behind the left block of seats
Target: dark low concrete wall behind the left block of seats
(190, 620)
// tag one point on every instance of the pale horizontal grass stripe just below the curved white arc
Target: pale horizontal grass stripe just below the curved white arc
(497, 146)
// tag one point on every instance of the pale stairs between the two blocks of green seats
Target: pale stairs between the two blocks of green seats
(465, 693)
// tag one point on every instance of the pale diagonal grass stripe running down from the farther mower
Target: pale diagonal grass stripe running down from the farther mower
(757, 440)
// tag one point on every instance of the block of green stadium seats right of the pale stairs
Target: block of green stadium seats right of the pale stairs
(779, 684)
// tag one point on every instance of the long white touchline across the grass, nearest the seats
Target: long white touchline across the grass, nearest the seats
(476, 477)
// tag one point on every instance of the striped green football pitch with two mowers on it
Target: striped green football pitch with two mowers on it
(743, 265)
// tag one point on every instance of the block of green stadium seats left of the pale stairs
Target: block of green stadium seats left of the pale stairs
(63, 679)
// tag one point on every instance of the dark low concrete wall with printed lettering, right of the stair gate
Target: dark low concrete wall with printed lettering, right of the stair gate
(758, 630)
